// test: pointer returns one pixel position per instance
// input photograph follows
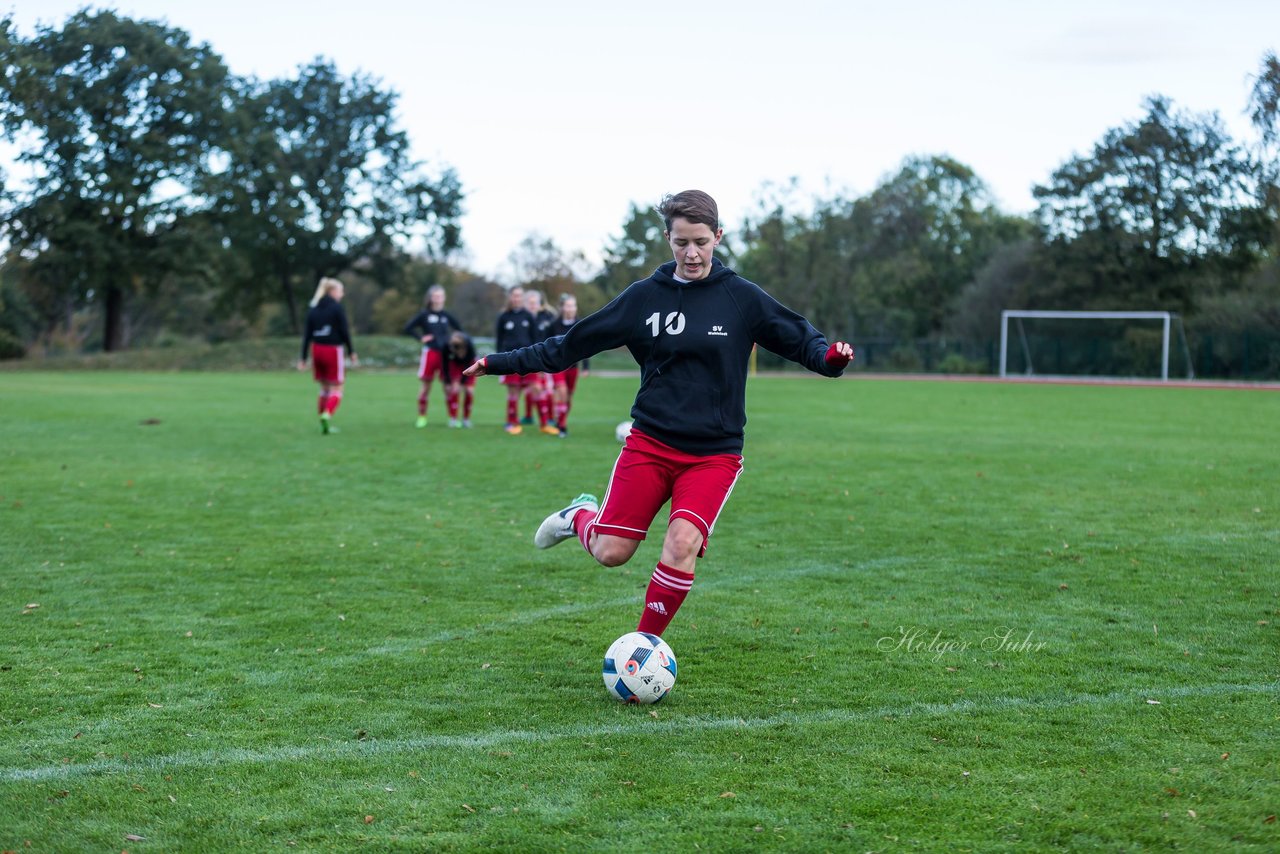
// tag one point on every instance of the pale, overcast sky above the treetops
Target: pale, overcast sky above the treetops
(557, 116)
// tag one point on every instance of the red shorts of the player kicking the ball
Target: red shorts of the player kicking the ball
(648, 473)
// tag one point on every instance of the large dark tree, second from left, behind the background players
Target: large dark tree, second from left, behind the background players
(322, 177)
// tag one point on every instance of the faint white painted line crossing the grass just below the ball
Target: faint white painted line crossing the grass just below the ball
(678, 725)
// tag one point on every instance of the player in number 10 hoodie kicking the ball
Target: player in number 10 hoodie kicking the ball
(691, 327)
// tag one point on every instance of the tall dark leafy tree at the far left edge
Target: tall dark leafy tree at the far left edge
(116, 122)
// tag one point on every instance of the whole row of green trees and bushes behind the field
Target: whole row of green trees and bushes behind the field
(164, 198)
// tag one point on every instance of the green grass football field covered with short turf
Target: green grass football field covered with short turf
(935, 616)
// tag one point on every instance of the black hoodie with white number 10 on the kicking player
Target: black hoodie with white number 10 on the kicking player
(693, 342)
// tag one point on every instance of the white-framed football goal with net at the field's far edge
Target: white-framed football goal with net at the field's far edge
(1091, 344)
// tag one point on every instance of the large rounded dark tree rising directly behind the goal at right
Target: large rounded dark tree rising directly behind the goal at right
(1142, 221)
